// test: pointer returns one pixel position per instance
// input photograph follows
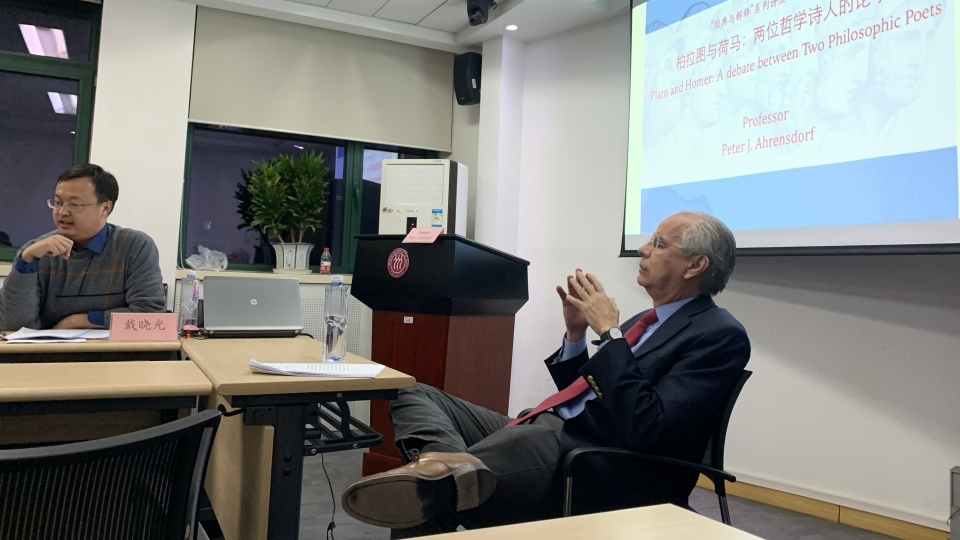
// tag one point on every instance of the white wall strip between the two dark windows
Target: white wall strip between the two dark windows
(140, 114)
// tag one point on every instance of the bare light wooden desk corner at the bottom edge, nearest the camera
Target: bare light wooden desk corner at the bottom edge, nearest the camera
(664, 522)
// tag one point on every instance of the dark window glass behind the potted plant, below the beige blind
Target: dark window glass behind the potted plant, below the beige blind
(217, 155)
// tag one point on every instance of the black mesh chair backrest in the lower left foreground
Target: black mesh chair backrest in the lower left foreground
(143, 485)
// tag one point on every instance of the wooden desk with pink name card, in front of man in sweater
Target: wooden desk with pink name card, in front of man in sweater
(94, 350)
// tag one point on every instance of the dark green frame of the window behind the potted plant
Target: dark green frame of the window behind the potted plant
(352, 190)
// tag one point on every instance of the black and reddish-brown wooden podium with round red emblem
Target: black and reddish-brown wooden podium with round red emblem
(442, 312)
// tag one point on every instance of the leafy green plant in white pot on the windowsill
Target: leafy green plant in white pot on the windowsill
(282, 198)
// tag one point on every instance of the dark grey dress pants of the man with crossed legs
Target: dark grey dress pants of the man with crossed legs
(524, 458)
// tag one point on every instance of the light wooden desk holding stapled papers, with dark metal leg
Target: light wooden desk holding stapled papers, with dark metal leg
(255, 474)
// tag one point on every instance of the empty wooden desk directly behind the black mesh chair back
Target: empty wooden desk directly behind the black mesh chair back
(49, 402)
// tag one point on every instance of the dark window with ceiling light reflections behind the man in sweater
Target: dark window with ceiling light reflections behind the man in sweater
(47, 69)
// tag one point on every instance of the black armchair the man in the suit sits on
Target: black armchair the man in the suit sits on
(711, 467)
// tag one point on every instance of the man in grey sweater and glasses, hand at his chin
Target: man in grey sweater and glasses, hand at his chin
(76, 276)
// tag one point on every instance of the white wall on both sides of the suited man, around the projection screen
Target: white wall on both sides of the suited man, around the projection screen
(857, 372)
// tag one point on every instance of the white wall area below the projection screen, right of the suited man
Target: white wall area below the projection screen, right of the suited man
(855, 393)
